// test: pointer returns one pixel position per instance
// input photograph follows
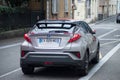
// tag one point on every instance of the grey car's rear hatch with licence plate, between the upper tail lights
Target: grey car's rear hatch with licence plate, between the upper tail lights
(51, 38)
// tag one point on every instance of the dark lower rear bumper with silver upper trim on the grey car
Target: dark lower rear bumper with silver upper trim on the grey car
(50, 59)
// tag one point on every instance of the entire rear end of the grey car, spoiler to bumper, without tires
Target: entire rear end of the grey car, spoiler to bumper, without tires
(52, 45)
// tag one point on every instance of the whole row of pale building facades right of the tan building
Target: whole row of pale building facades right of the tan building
(92, 10)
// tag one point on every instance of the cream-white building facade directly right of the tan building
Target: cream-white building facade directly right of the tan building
(86, 10)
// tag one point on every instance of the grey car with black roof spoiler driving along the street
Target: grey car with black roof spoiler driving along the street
(59, 43)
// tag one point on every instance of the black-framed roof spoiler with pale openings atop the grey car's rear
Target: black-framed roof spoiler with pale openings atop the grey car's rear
(54, 25)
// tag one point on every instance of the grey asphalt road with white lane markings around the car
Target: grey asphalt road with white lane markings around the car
(108, 33)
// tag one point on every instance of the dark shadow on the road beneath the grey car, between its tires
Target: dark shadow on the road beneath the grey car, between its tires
(56, 72)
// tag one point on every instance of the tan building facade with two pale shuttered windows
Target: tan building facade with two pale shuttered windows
(59, 9)
